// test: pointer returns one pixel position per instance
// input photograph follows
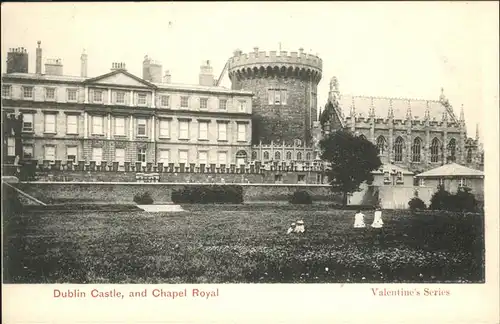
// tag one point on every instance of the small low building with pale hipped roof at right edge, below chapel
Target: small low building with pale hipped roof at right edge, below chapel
(454, 176)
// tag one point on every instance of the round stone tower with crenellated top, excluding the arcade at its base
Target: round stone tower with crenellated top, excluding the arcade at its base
(285, 87)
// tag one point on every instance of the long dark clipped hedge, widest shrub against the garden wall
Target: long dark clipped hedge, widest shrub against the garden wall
(212, 194)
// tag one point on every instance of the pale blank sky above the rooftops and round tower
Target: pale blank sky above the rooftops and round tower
(398, 49)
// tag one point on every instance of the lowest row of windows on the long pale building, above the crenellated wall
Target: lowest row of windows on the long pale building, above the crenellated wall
(49, 154)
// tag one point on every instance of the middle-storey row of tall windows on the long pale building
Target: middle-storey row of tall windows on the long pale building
(97, 127)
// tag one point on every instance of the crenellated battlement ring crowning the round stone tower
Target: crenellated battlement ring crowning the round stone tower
(257, 59)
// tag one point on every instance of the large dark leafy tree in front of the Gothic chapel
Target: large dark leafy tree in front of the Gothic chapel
(351, 158)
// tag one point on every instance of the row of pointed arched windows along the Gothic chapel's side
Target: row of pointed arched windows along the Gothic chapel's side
(416, 149)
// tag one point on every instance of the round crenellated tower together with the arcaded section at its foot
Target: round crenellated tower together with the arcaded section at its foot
(284, 114)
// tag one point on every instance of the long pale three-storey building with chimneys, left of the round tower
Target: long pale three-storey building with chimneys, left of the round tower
(120, 119)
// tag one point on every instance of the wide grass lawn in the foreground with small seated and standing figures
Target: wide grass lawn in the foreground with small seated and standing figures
(240, 244)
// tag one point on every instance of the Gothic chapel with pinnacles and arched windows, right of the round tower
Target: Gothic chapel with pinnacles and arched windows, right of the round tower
(414, 134)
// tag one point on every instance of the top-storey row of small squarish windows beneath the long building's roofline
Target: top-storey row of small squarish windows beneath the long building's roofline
(119, 97)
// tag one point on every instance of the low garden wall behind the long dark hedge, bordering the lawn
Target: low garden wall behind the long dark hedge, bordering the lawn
(123, 193)
